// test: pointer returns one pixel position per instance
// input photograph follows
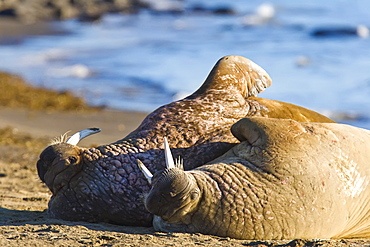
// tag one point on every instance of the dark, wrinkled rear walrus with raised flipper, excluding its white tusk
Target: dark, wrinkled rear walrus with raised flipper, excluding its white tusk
(105, 184)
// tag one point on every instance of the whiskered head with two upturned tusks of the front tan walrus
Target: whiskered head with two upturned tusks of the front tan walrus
(174, 193)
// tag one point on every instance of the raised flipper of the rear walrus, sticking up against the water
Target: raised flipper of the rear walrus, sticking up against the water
(236, 73)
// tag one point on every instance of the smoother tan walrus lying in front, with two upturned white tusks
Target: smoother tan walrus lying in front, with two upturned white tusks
(285, 180)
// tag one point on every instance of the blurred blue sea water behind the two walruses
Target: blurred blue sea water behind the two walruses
(139, 62)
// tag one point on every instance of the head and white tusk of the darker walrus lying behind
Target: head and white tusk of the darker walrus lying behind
(61, 159)
